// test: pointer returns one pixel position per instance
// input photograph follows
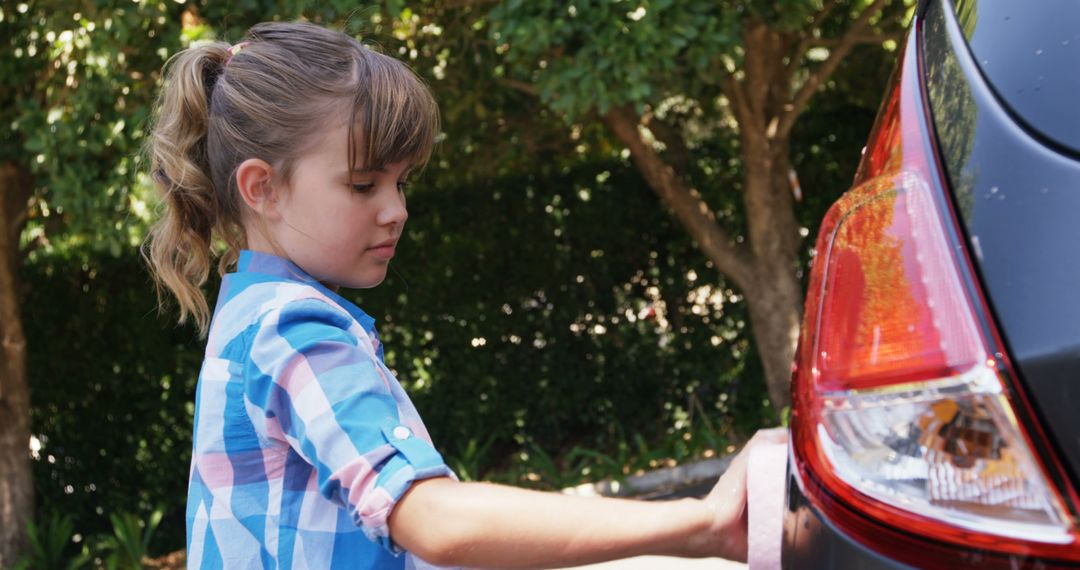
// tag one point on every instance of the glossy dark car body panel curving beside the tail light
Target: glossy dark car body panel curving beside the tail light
(1019, 201)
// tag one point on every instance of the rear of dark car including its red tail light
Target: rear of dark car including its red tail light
(936, 416)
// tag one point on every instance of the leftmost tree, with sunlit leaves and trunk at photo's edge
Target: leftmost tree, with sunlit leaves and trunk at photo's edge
(78, 84)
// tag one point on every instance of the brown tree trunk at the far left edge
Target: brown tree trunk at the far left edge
(17, 486)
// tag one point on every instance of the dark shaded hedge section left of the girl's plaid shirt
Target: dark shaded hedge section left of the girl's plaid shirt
(112, 390)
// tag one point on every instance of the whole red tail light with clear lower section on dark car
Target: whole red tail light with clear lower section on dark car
(906, 431)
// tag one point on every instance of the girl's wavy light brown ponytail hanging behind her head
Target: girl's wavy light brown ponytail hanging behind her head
(179, 247)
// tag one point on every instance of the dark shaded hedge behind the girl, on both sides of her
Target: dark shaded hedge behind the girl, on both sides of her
(545, 328)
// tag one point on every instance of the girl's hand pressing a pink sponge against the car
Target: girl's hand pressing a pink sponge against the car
(727, 501)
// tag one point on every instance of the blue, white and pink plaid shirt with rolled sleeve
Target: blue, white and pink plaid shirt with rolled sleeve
(304, 440)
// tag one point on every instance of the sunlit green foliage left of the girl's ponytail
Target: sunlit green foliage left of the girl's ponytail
(83, 78)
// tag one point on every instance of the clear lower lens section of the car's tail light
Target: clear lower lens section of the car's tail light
(947, 450)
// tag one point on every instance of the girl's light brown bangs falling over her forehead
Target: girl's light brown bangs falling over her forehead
(395, 117)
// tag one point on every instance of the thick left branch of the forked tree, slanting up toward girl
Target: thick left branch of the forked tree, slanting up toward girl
(687, 205)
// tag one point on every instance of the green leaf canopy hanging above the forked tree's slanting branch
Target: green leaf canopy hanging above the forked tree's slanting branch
(598, 56)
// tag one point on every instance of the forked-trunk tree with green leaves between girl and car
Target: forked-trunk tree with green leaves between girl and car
(668, 79)
